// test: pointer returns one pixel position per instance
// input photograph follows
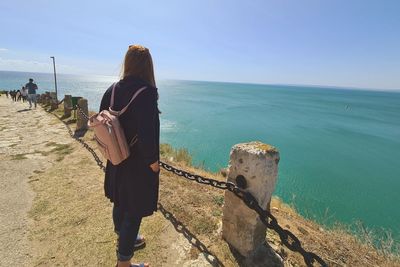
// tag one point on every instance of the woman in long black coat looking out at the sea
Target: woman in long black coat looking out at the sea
(133, 184)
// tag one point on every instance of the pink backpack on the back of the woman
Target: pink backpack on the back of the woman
(109, 134)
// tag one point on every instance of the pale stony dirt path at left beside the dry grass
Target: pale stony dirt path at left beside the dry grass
(20, 141)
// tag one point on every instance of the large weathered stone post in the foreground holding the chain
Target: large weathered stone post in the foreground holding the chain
(253, 167)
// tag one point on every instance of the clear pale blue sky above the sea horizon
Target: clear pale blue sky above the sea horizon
(327, 42)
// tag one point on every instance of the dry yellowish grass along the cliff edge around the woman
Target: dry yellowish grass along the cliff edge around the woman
(72, 219)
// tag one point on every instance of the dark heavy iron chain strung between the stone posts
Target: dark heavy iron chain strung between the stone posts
(287, 238)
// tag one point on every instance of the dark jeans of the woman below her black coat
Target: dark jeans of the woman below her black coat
(126, 225)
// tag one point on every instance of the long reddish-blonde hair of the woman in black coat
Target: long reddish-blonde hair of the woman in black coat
(138, 64)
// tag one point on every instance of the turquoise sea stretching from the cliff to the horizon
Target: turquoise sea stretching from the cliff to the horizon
(339, 147)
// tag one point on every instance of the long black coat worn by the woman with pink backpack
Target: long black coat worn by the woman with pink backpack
(132, 185)
